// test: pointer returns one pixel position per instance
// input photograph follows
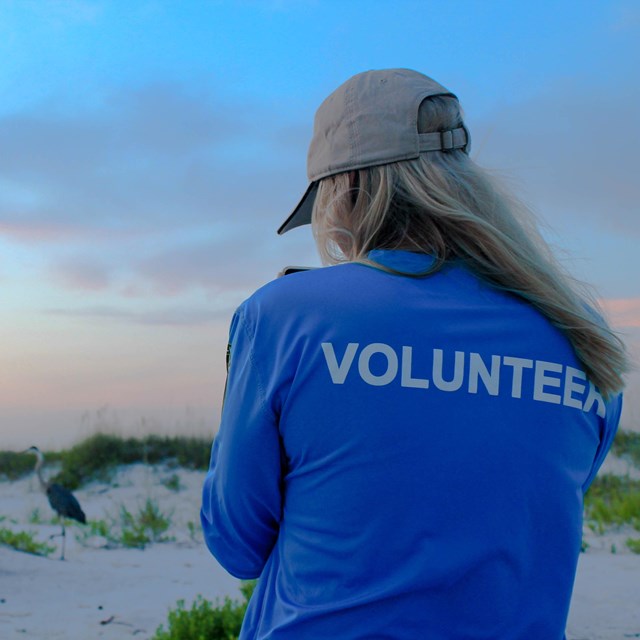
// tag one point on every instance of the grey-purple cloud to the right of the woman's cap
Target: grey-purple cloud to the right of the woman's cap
(575, 148)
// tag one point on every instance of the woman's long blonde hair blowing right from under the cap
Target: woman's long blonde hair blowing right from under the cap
(444, 204)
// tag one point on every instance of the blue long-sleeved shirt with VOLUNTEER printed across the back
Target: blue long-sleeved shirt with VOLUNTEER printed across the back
(402, 458)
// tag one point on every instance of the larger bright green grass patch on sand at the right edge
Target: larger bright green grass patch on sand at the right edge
(612, 500)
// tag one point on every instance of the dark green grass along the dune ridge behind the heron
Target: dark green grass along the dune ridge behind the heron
(96, 457)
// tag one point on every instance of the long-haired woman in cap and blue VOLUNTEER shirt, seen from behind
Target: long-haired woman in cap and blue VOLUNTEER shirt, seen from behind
(407, 435)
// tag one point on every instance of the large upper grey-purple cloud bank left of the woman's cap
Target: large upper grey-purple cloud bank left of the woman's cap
(155, 157)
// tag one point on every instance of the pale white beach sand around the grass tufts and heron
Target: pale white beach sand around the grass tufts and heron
(112, 593)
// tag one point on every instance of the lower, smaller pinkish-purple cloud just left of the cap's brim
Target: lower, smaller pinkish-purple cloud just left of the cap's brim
(211, 261)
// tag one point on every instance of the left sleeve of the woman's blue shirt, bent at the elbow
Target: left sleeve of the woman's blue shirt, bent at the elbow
(241, 501)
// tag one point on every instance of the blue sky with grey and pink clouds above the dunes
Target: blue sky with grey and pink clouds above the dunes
(150, 150)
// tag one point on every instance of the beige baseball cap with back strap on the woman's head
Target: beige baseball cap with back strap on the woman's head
(369, 120)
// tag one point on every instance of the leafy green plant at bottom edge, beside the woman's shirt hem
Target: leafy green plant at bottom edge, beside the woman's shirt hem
(206, 620)
